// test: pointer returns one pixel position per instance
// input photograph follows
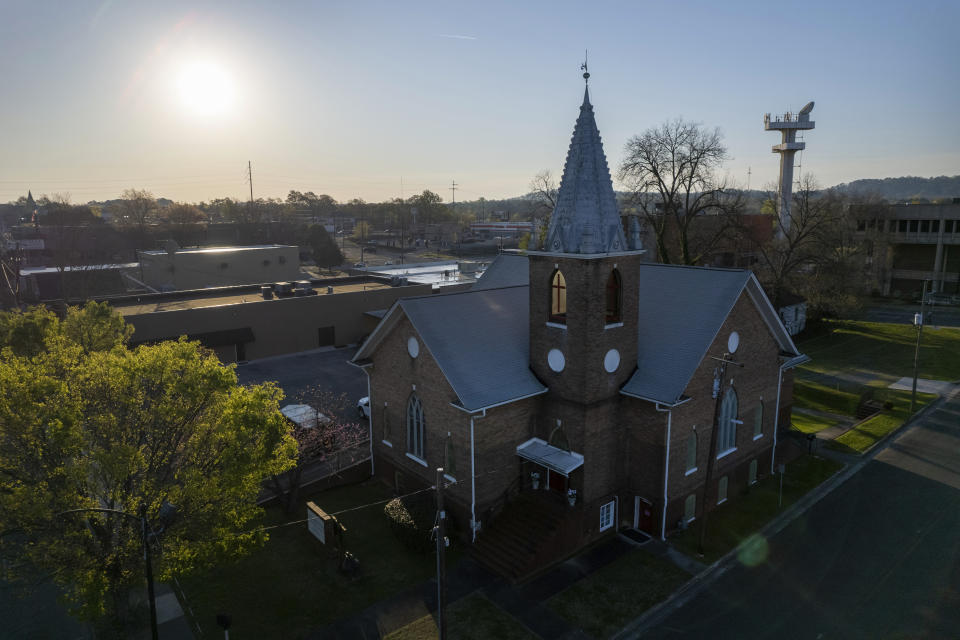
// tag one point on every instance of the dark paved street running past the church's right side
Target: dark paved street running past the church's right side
(879, 557)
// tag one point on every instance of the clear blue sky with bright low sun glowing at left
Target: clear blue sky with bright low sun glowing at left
(377, 100)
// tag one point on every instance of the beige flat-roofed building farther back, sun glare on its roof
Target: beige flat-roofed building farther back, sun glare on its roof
(199, 268)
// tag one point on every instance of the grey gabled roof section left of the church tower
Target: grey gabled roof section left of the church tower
(479, 339)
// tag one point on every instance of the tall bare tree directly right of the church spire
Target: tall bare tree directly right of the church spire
(672, 174)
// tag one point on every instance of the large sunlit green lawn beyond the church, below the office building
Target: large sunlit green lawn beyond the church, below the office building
(884, 350)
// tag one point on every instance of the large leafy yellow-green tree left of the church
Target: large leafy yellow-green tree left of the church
(87, 423)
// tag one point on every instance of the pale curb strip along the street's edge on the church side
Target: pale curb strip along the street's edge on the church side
(692, 587)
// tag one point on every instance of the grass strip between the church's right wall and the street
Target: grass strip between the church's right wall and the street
(738, 520)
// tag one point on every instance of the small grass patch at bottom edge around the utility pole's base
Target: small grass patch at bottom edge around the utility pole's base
(472, 618)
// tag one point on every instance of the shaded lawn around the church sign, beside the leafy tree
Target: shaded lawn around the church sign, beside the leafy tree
(291, 586)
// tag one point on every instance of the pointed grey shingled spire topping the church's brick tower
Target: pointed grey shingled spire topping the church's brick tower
(586, 219)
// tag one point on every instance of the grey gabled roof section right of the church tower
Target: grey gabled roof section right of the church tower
(681, 311)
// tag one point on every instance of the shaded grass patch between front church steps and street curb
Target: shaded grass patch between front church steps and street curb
(604, 602)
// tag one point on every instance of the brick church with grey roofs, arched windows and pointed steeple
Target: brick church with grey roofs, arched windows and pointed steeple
(580, 389)
